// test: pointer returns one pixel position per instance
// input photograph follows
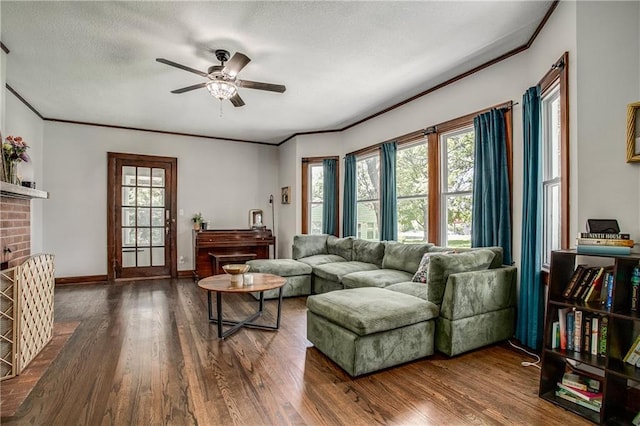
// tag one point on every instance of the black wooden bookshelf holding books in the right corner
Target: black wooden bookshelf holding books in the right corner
(616, 376)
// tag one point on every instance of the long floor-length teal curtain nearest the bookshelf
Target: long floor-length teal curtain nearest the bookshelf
(531, 299)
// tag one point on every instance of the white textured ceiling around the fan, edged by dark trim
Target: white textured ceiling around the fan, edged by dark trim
(340, 61)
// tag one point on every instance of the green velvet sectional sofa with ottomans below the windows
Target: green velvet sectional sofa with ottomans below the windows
(466, 300)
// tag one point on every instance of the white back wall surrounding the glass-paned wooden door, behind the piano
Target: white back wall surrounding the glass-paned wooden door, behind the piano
(223, 180)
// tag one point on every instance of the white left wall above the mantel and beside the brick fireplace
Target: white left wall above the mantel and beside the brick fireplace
(21, 121)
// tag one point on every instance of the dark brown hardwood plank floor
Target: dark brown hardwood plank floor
(144, 353)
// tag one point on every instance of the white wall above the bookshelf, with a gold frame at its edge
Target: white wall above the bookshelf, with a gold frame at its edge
(608, 40)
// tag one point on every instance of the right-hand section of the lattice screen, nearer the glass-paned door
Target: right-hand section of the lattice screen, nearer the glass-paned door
(35, 279)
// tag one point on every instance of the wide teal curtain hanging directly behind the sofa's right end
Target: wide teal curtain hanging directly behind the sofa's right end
(491, 209)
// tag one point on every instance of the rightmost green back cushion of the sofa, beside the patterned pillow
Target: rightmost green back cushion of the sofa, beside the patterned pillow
(443, 265)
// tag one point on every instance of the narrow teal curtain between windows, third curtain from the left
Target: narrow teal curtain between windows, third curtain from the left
(388, 199)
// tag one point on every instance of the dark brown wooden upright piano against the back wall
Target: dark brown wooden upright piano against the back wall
(217, 247)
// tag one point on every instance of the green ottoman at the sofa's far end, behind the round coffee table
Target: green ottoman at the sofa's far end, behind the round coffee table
(297, 275)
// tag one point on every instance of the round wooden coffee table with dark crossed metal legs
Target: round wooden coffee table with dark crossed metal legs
(222, 284)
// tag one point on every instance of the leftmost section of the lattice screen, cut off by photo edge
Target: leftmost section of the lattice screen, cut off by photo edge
(8, 323)
